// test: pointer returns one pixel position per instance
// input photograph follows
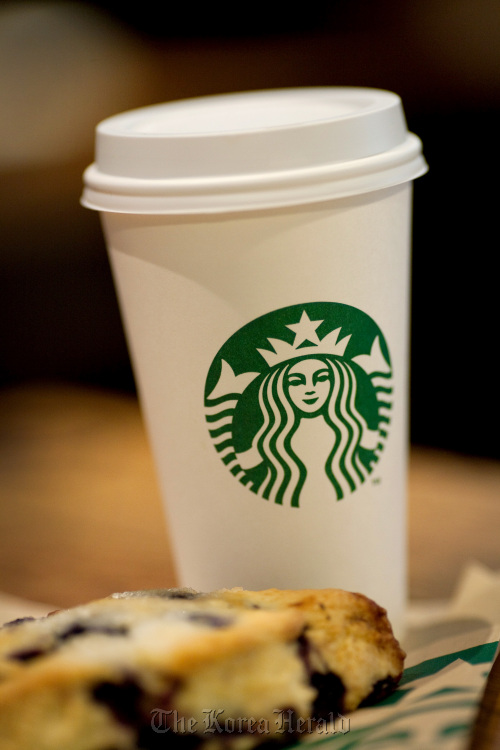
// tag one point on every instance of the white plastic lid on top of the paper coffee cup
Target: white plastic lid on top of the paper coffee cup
(260, 149)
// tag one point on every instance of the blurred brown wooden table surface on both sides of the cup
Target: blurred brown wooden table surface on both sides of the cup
(81, 514)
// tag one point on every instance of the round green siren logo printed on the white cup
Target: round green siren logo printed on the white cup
(305, 388)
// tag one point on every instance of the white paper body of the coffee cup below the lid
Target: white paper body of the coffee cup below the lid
(270, 347)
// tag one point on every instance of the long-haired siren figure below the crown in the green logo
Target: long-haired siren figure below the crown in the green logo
(315, 395)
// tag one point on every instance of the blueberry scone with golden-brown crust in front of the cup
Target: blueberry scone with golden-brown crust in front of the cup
(230, 669)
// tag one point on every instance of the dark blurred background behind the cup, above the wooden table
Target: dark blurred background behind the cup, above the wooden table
(65, 66)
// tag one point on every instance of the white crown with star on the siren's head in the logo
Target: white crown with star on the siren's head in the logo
(305, 331)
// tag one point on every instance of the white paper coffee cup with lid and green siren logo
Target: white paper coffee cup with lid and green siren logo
(260, 244)
